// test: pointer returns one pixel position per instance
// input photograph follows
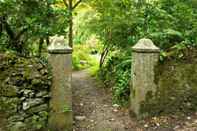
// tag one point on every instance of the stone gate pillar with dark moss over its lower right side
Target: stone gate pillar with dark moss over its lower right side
(145, 56)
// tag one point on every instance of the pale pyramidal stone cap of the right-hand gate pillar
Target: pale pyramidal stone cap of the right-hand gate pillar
(145, 46)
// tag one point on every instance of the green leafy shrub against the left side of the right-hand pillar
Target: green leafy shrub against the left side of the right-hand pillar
(116, 74)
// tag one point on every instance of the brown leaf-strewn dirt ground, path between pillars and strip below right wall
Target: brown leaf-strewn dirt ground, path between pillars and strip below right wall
(94, 111)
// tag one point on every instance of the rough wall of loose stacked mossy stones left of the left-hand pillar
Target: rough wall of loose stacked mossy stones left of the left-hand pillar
(24, 93)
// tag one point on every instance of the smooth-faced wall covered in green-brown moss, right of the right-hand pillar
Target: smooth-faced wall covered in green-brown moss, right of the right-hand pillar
(176, 91)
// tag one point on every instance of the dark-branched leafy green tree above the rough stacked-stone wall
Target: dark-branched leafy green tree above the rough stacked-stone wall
(40, 20)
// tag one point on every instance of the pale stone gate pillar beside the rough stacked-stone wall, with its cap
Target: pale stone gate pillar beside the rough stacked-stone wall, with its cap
(60, 117)
